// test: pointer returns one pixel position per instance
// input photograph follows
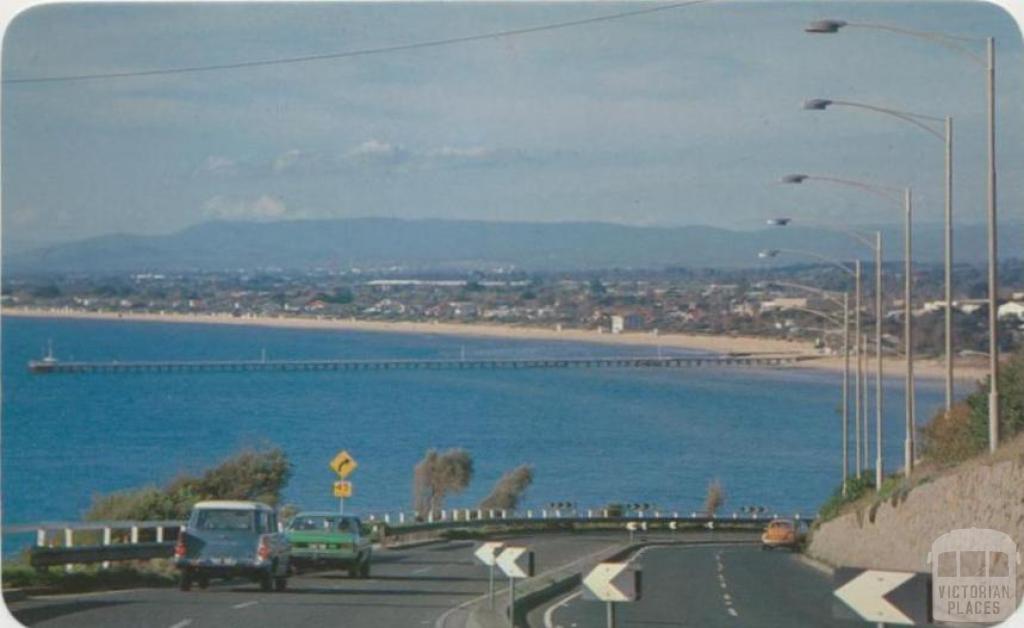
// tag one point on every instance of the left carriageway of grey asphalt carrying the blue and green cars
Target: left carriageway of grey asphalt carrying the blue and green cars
(423, 587)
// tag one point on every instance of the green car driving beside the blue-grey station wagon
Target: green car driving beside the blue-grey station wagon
(328, 540)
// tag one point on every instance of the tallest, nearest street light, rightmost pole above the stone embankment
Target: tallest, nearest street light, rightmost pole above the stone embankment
(957, 44)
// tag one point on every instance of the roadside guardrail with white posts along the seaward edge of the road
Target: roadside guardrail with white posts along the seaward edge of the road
(70, 543)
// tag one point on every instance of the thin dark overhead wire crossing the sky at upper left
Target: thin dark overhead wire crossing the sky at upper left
(353, 54)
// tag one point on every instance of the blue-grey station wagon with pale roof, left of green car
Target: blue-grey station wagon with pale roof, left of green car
(233, 539)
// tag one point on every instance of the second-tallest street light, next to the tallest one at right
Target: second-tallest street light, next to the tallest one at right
(925, 123)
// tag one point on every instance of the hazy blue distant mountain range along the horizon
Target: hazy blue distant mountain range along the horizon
(418, 245)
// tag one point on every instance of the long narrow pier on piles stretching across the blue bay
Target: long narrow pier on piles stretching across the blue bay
(51, 366)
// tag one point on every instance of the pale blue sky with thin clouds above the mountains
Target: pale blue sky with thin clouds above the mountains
(687, 116)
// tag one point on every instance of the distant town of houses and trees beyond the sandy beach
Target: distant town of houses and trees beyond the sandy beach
(769, 303)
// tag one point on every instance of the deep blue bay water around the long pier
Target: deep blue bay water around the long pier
(594, 437)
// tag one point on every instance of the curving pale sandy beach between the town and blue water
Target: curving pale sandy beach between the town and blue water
(968, 373)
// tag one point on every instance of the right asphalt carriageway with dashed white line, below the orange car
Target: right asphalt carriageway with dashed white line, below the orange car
(707, 587)
